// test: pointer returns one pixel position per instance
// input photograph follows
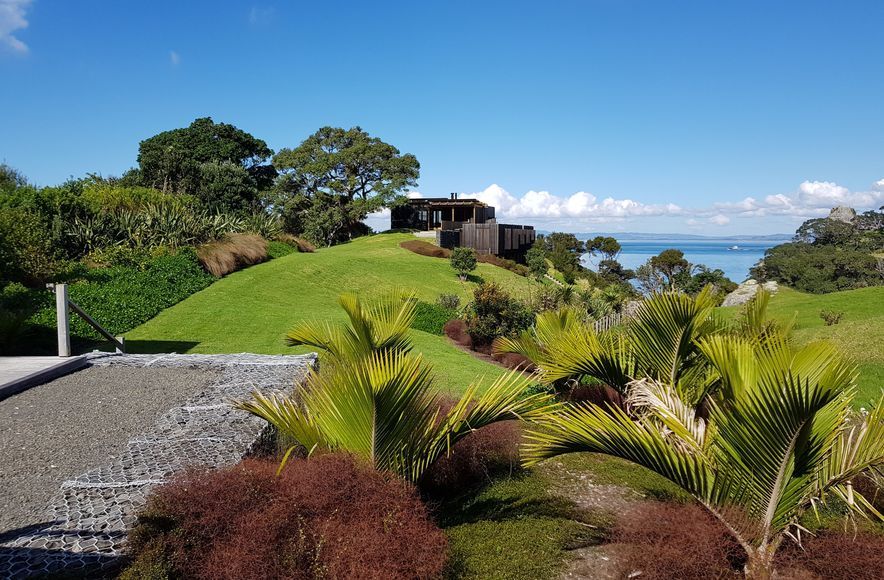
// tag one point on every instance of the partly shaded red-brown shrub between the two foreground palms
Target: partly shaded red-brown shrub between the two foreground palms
(474, 460)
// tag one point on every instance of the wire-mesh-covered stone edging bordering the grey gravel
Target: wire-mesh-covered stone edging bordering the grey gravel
(84, 531)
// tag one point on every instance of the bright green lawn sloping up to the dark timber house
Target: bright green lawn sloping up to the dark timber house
(251, 310)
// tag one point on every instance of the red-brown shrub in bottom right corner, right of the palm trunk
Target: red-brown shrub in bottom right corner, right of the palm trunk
(833, 556)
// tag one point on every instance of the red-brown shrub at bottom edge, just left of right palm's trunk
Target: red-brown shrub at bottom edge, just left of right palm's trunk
(666, 541)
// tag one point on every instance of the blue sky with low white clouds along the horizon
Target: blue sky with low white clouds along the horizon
(712, 117)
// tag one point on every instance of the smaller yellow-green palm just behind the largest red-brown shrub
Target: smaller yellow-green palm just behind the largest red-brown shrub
(375, 401)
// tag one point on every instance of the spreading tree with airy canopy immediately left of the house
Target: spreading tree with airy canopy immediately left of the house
(347, 172)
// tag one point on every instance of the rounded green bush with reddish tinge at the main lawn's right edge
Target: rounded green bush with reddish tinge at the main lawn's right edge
(495, 313)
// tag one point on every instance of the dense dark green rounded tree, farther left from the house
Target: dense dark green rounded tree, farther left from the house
(221, 164)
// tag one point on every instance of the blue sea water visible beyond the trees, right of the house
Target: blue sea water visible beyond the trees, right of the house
(733, 257)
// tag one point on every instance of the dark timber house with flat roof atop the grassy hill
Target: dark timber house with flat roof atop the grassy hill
(464, 222)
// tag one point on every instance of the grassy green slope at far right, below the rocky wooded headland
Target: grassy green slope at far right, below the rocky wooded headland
(860, 333)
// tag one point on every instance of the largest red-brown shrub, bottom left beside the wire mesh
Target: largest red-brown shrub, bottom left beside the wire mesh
(327, 516)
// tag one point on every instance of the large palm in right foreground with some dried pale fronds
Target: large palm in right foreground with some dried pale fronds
(778, 435)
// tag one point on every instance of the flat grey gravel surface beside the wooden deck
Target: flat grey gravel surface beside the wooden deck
(58, 430)
